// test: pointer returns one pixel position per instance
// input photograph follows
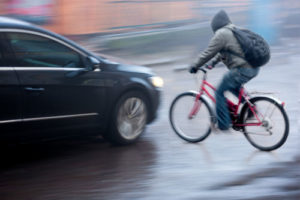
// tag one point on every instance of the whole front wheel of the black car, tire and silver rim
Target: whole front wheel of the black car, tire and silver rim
(129, 118)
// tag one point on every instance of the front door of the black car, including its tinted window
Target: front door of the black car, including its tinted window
(58, 90)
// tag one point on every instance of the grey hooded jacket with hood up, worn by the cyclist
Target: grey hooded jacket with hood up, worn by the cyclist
(222, 43)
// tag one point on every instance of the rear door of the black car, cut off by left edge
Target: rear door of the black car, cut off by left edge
(10, 93)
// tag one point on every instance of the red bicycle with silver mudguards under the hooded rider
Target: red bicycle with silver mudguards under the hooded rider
(261, 118)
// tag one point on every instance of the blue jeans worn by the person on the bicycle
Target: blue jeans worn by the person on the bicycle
(232, 81)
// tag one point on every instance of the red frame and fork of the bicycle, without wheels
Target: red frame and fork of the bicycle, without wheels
(231, 106)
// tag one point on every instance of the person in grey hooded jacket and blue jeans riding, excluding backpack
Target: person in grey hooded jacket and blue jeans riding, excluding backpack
(240, 71)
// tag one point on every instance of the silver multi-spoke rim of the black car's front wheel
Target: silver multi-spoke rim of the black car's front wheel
(132, 118)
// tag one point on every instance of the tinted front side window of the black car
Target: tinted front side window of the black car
(36, 51)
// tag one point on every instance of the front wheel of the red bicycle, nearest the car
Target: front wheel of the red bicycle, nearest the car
(190, 128)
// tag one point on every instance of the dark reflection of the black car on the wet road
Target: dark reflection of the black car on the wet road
(77, 169)
